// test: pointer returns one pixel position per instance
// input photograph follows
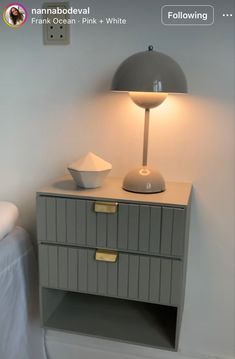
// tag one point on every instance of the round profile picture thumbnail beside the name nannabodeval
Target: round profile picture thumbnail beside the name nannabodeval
(15, 15)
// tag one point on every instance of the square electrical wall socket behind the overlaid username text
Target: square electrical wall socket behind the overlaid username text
(56, 33)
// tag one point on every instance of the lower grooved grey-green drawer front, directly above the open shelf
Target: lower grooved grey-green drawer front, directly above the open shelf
(135, 277)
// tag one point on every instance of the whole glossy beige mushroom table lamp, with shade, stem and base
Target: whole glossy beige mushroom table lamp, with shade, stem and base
(148, 77)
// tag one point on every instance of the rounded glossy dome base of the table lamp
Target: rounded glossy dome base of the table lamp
(144, 180)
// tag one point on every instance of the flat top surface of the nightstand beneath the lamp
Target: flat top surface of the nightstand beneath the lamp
(177, 194)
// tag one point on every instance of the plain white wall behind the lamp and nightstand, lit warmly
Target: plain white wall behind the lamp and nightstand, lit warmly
(55, 107)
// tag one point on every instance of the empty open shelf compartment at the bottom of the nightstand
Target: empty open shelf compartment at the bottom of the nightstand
(117, 319)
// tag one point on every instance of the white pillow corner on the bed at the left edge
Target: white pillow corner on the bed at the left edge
(8, 217)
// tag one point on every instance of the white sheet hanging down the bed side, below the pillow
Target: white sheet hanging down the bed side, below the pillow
(20, 333)
